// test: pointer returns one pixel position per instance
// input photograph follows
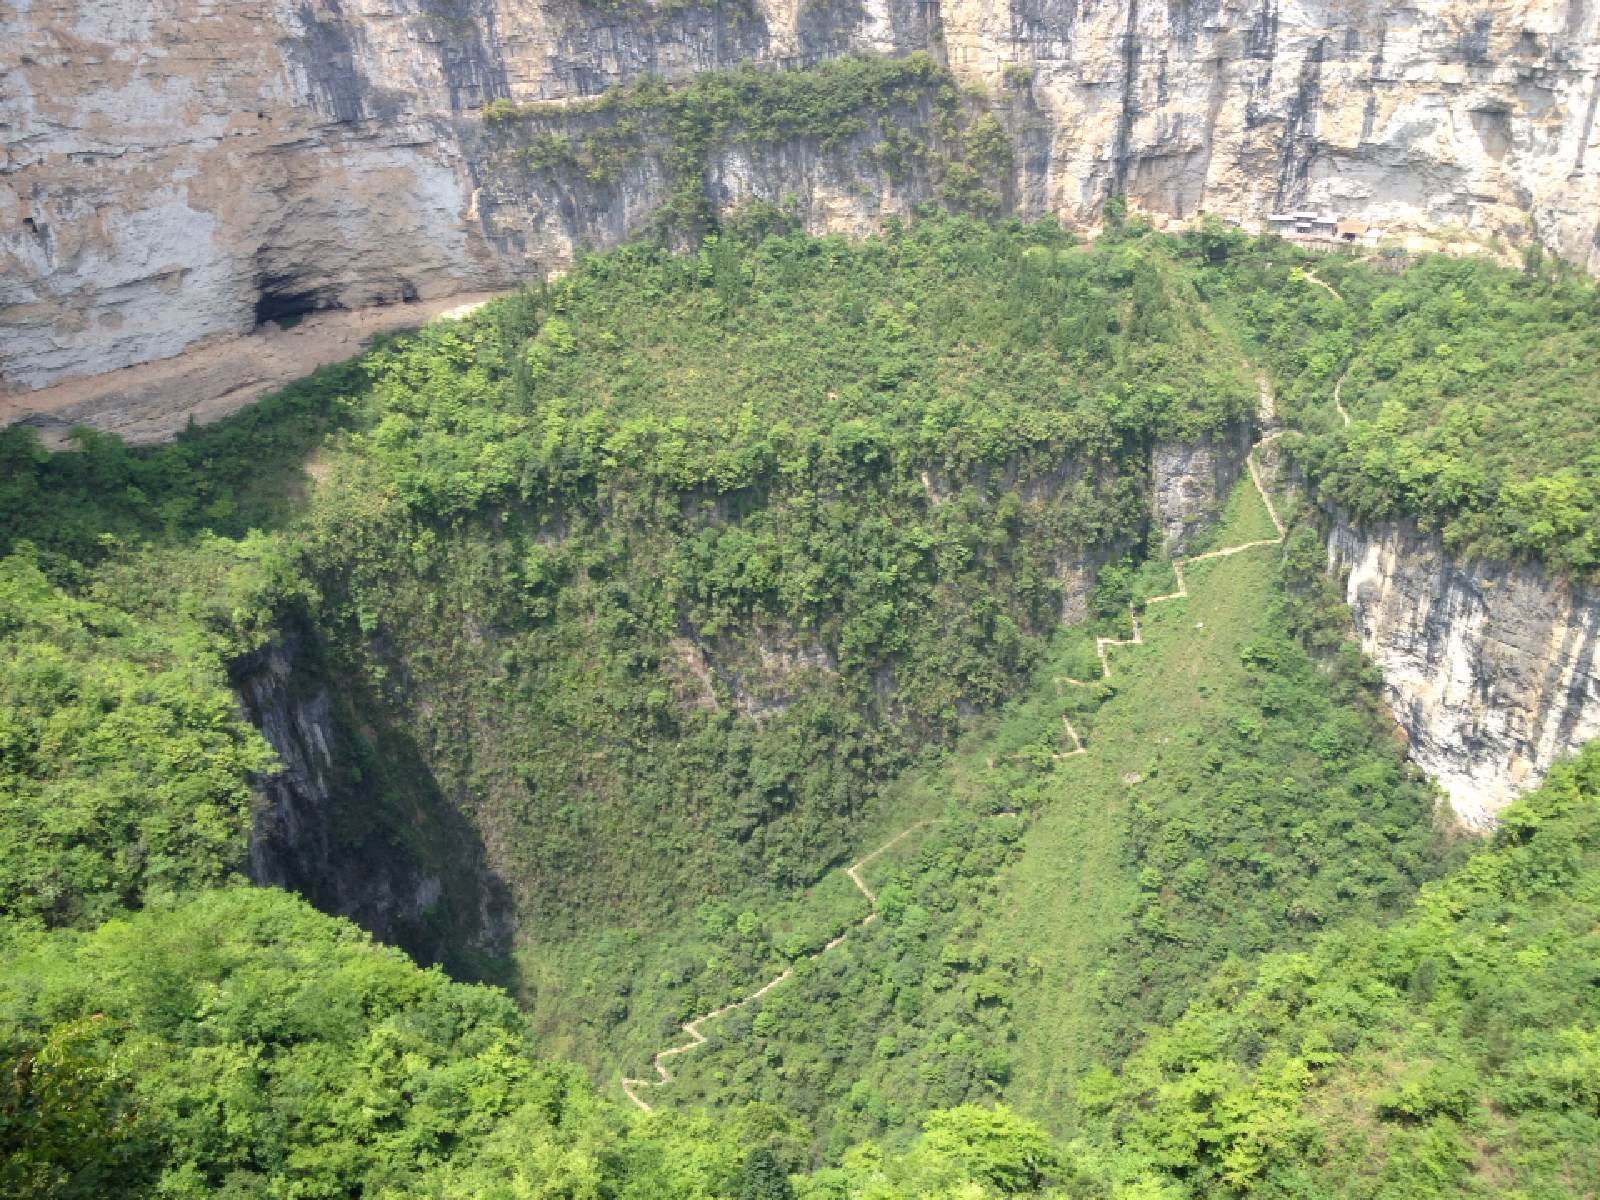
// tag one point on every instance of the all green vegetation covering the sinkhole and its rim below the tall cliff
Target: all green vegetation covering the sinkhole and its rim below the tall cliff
(681, 574)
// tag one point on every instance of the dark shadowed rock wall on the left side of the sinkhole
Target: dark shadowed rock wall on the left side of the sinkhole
(324, 831)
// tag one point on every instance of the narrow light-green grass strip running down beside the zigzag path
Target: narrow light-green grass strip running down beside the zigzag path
(1071, 897)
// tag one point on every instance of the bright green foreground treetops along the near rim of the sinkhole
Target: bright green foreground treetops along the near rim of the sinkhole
(241, 1044)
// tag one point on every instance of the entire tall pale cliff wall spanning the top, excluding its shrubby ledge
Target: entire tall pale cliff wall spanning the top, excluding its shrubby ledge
(180, 170)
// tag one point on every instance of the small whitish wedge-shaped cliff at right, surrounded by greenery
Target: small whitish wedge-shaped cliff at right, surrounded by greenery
(1492, 671)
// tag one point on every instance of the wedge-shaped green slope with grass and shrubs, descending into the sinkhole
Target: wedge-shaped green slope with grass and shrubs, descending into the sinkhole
(1017, 980)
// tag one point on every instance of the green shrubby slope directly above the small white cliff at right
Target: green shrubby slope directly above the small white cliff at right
(1473, 391)
